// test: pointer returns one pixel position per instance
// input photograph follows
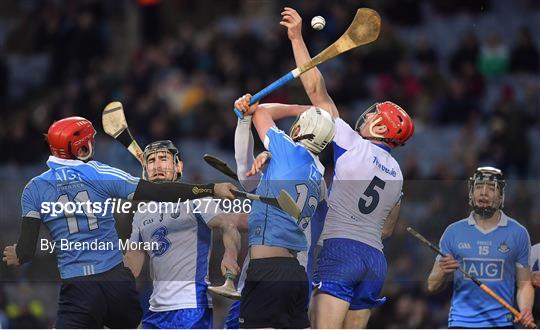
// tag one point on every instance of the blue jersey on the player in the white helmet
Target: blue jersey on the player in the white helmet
(297, 171)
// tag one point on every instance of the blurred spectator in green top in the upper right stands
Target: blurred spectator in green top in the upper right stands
(494, 58)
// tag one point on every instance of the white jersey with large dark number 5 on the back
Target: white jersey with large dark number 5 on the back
(366, 186)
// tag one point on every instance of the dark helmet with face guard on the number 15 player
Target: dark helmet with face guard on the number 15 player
(485, 178)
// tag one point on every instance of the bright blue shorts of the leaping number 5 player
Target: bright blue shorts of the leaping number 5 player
(352, 271)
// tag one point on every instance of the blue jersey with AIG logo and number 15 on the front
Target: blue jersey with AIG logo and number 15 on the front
(492, 256)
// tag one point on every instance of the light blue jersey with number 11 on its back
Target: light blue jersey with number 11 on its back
(85, 238)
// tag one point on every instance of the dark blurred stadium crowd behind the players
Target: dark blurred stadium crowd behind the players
(469, 80)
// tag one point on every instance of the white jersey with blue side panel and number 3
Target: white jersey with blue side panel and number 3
(179, 268)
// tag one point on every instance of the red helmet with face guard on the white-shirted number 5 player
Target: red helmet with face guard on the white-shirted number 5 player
(399, 125)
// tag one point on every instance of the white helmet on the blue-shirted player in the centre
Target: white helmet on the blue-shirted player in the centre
(317, 129)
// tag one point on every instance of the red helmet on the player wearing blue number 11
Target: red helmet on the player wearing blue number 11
(67, 136)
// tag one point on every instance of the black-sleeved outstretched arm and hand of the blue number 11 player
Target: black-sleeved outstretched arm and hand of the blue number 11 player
(176, 191)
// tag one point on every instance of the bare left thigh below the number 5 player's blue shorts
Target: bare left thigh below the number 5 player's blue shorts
(327, 311)
